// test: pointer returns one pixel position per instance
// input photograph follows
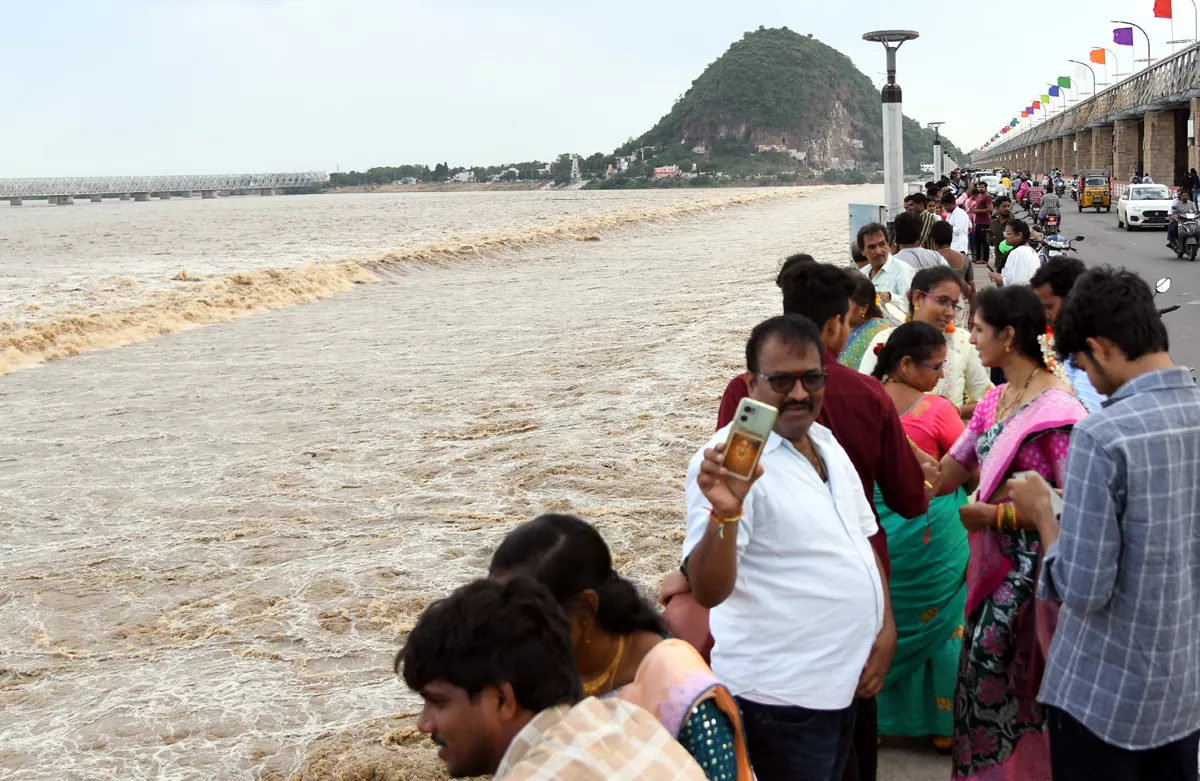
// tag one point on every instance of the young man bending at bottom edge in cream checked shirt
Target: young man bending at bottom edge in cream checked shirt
(502, 694)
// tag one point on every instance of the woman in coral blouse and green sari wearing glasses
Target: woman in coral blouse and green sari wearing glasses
(929, 555)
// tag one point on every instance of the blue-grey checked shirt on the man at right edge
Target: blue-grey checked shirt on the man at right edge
(1125, 660)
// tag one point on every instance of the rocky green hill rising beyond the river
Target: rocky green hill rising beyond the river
(776, 87)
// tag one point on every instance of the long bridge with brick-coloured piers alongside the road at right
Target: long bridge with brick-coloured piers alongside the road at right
(1145, 124)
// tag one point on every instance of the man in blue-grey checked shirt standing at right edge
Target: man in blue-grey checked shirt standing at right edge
(1123, 681)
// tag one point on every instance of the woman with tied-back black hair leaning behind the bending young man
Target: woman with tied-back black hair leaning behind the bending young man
(621, 645)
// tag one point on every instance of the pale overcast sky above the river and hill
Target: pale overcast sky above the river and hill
(183, 87)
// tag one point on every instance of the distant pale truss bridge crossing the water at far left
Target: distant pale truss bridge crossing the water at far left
(64, 190)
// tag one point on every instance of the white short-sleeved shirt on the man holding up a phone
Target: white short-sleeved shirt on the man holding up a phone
(808, 600)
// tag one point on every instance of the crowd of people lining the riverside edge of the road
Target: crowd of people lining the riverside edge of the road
(1009, 569)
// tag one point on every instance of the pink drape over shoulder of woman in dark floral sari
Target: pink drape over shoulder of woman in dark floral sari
(989, 566)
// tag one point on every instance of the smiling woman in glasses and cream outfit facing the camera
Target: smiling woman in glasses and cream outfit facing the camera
(934, 299)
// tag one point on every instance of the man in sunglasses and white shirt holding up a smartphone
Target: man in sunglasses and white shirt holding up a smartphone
(800, 611)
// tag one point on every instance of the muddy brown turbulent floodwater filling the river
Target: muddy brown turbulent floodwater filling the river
(213, 543)
